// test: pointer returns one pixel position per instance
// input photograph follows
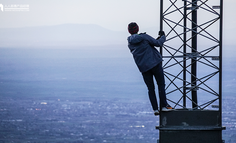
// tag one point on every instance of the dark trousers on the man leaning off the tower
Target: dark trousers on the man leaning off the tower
(157, 72)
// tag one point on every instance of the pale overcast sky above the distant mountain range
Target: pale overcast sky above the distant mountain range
(111, 14)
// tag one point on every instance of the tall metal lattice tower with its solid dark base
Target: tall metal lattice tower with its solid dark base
(192, 64)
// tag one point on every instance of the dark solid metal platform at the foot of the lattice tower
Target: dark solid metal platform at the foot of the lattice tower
(185, 126)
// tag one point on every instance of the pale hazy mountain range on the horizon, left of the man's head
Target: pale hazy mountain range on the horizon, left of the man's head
(60, 35)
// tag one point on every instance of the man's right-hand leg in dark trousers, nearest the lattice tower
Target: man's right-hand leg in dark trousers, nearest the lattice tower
(159, 76)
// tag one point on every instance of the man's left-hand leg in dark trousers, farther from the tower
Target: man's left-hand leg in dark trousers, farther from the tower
(148, 79)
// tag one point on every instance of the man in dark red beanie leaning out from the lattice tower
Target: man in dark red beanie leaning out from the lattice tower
(149, 62)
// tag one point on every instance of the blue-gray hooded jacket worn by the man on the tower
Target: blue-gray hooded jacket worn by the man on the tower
(145, 54)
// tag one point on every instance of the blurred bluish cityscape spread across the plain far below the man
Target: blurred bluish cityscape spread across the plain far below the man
(85, 121)
